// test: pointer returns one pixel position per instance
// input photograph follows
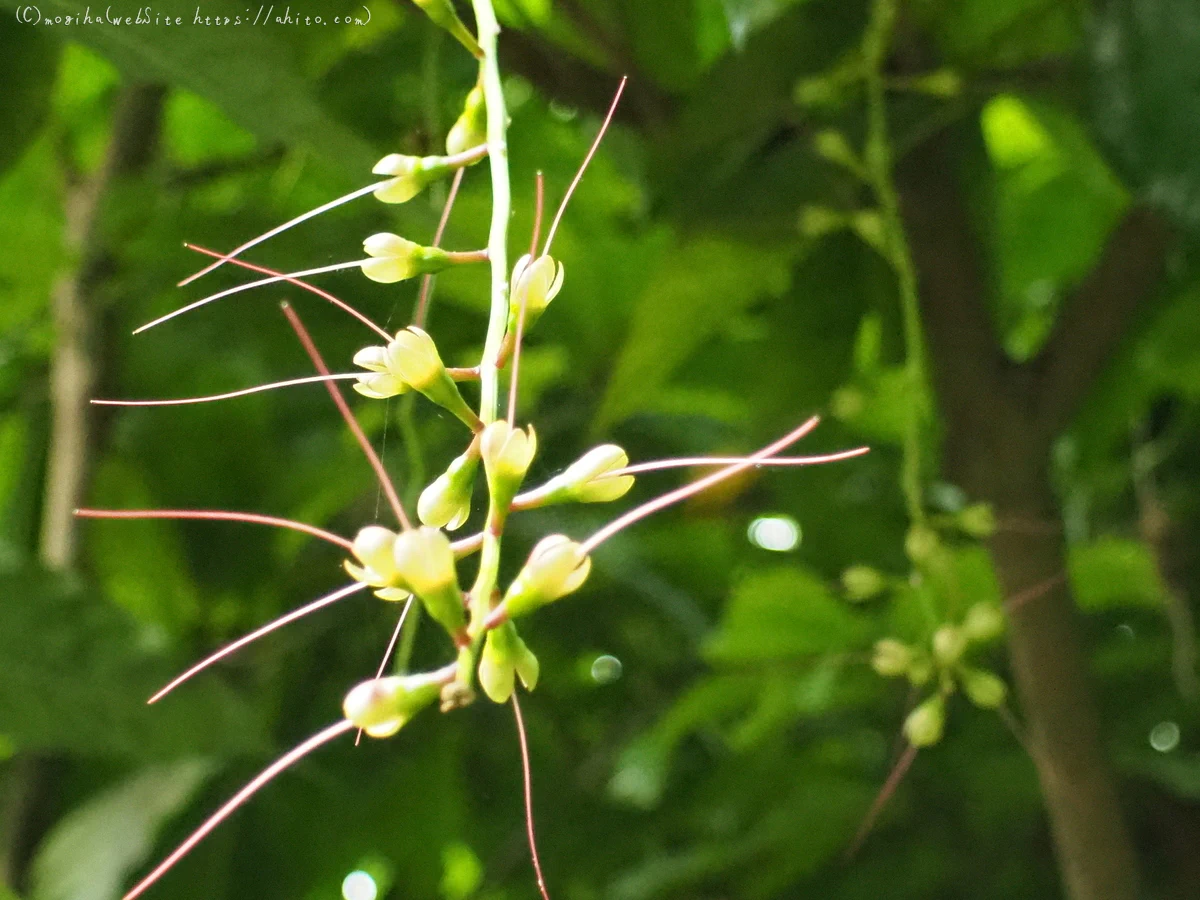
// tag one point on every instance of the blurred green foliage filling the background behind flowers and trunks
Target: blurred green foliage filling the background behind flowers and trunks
(706, 310)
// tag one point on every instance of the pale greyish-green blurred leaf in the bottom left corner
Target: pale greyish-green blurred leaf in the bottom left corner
(94, 848)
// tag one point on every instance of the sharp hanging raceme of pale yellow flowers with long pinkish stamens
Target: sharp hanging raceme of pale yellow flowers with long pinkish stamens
(422, 561)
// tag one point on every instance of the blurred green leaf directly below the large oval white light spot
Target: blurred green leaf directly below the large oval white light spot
(782, 614)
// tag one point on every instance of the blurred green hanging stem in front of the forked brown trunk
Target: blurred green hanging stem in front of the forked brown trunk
(877, 44)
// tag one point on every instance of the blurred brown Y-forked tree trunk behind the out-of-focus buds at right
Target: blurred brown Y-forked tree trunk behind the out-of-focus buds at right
(998, 442)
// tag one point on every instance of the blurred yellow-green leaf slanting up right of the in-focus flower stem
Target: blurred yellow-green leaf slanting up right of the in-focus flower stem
(698, 290)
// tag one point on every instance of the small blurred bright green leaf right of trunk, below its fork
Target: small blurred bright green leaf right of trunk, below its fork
(1115, 573)
